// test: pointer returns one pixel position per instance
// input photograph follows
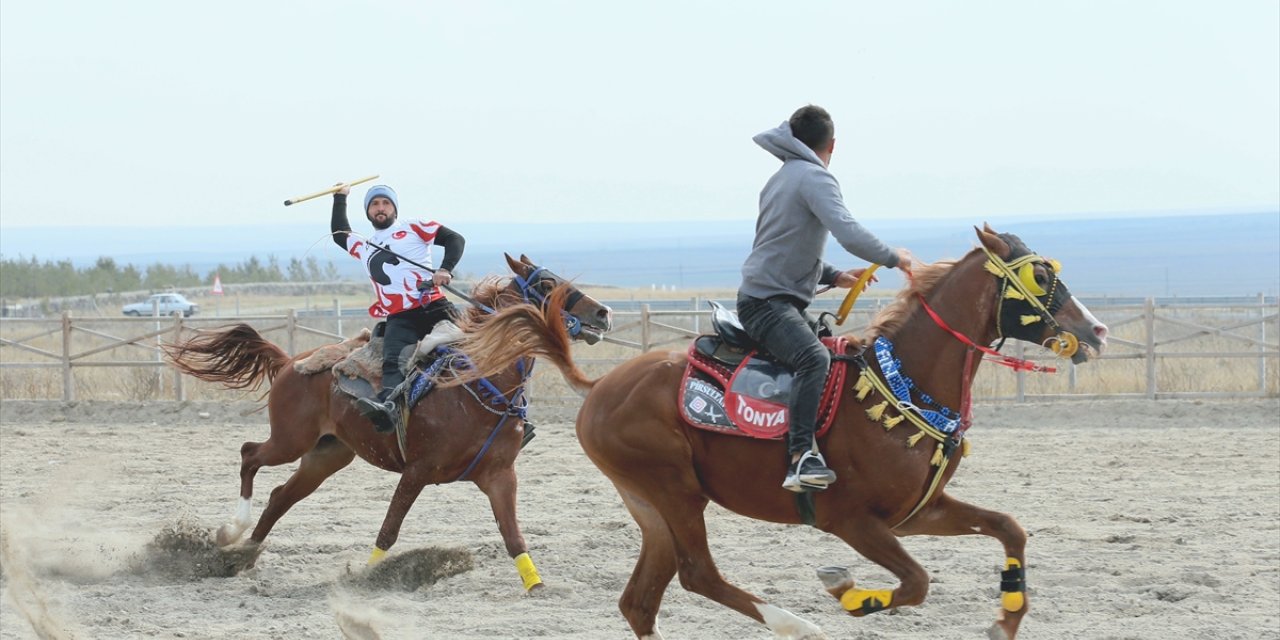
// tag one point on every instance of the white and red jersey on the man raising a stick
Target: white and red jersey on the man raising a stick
(396, 282)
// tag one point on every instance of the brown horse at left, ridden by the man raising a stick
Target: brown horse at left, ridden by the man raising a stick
(450, 435)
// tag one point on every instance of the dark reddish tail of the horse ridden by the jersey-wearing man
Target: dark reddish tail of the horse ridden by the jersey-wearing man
(236, 356)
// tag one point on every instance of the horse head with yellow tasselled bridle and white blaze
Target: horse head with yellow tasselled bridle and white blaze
(1035, 305)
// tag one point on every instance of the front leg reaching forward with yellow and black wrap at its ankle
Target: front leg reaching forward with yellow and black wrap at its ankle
(949, 516)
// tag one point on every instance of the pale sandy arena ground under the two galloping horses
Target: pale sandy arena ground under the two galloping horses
(1148, 520)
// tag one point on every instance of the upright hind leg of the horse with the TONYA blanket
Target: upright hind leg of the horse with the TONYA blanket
(655, 569)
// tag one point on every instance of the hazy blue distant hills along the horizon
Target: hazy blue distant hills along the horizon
(1183, 255)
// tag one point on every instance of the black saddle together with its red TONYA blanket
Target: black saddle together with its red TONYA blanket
(732, 386)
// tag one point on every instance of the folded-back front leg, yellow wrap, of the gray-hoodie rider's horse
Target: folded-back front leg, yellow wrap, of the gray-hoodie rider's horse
(877, 543)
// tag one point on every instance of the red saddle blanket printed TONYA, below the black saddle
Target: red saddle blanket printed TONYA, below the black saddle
(752, 400)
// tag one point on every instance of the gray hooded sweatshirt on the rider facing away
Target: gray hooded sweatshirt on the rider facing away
(798, 207)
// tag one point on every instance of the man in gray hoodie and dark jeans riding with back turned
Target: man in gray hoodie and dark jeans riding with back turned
(799, 205)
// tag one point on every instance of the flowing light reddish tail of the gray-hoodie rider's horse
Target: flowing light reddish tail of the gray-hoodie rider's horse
(496, 341)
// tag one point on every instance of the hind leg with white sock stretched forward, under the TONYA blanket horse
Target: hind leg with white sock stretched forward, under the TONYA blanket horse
(683, 514)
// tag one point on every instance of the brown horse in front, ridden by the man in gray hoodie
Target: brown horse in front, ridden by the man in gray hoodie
(666, 472)
